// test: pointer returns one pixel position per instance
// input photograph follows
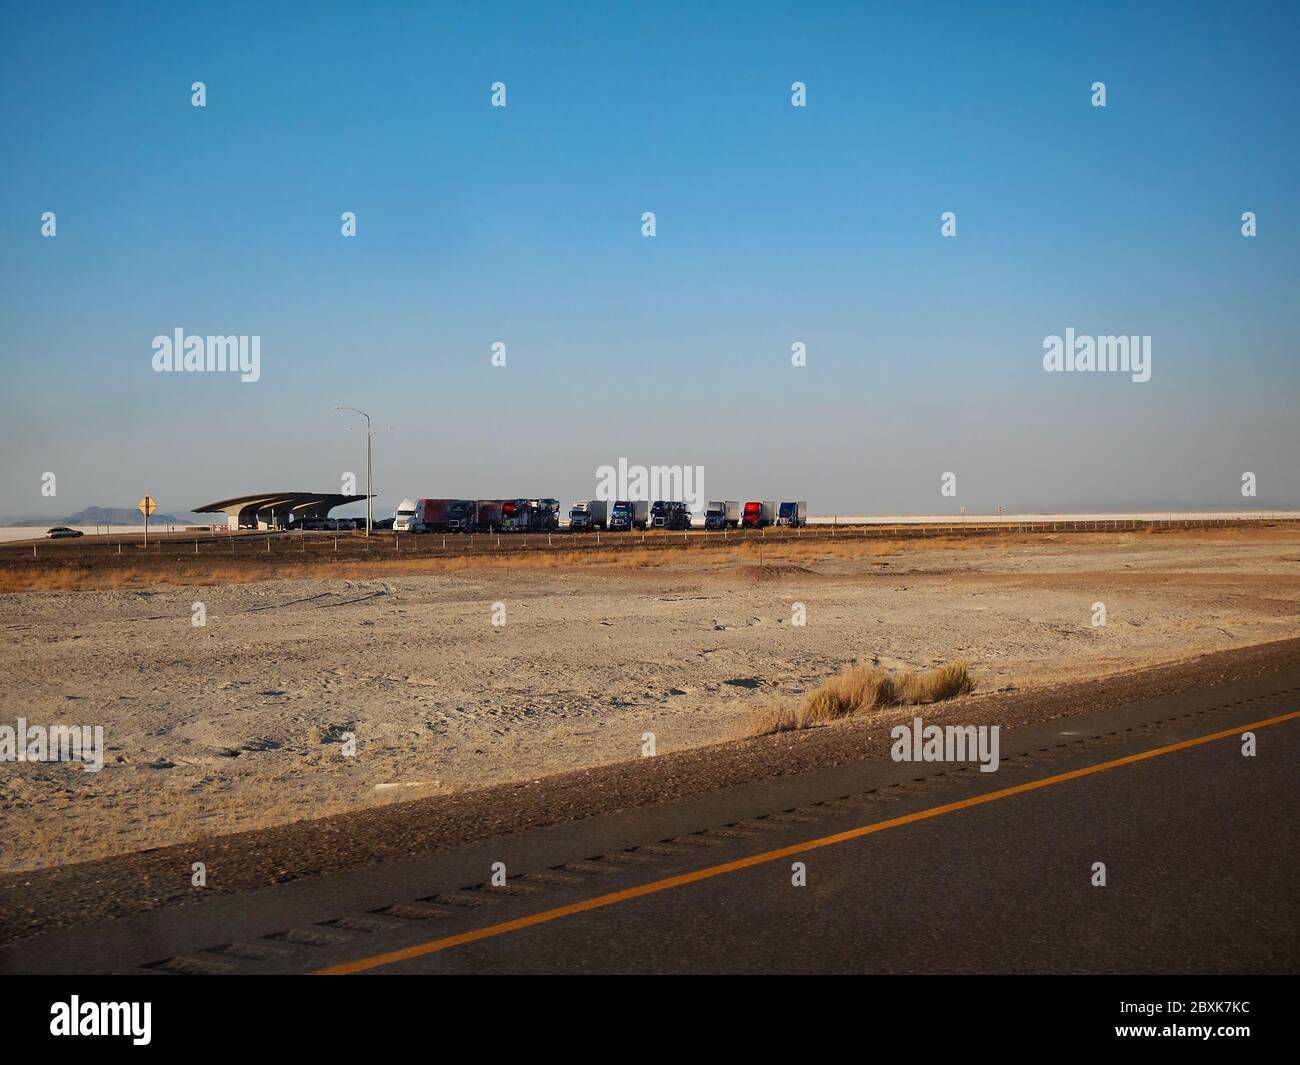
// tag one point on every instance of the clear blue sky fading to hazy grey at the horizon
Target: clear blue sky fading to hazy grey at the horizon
(774, 226)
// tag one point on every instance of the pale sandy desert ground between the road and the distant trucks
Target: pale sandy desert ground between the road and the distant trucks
(241, 724)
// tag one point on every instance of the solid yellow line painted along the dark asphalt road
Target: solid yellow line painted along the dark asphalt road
(434, 946)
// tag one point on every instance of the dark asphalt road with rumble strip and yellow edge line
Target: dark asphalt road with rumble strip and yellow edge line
(930, 868)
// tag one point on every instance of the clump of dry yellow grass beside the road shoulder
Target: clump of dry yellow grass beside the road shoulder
(860, 690)
